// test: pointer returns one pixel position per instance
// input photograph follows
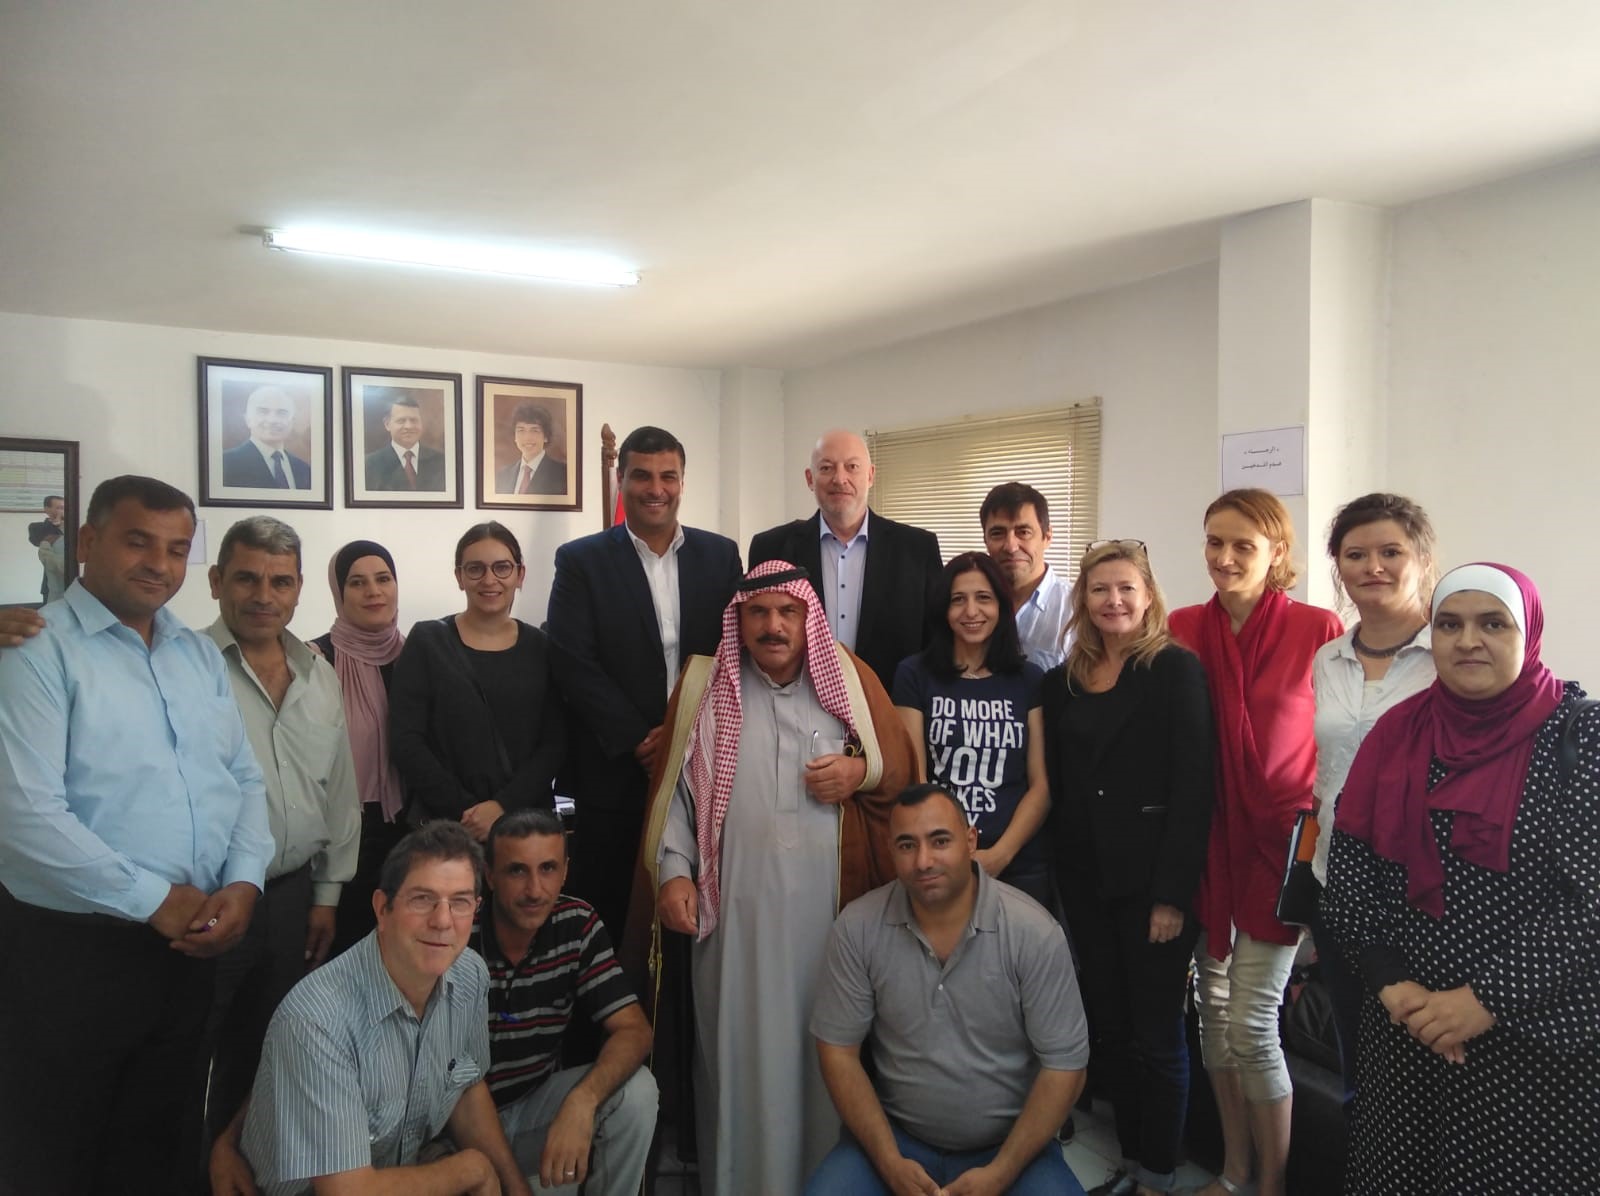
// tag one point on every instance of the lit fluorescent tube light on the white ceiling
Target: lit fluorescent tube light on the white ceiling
(556, 266)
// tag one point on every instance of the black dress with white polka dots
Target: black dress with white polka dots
(1522, 1115)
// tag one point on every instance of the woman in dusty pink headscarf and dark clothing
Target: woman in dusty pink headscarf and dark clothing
(362, 648)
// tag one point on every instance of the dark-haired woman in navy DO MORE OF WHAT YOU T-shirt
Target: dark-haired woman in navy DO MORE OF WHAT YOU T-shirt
(972, 701)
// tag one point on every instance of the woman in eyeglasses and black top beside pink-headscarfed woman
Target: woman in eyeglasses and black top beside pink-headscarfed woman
(476, 727)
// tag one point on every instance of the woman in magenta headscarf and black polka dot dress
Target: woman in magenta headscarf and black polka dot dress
(1465, 879)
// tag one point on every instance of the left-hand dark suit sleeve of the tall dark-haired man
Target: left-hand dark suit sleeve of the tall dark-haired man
(582, 604)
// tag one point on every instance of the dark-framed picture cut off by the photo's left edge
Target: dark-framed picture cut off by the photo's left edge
(39, 520)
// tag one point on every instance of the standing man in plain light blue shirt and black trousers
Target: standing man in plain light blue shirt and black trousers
(135, 848)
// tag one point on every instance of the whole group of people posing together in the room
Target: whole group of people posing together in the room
(889, 850)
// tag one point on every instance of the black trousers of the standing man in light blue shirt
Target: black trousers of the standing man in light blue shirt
(100, 1032)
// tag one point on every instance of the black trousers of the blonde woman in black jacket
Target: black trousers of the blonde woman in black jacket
(1134, 994)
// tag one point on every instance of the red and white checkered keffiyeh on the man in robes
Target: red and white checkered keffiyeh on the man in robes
(713, 755)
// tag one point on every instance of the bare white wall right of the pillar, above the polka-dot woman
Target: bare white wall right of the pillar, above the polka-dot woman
(1495, 359)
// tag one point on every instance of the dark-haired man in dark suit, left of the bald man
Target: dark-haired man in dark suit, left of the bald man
(628, 608)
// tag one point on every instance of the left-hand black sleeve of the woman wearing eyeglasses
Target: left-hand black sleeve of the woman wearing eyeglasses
(422, 682)
